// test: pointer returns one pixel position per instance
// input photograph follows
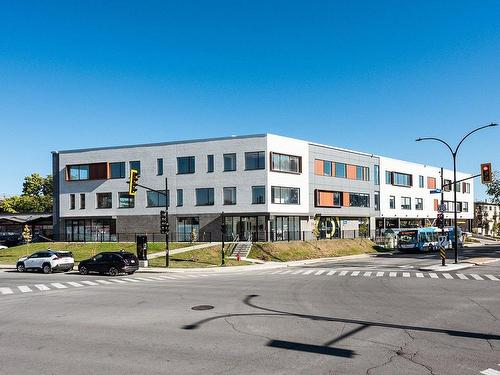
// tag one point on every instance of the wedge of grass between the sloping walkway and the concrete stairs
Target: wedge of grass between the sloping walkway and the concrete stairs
(202, 258)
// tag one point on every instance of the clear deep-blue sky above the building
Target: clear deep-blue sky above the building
(365, 75)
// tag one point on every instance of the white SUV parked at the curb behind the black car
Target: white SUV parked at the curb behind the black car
(47, 261)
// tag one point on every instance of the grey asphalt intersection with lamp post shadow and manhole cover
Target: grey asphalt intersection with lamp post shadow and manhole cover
(331, 318)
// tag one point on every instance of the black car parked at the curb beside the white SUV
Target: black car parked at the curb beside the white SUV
(112, 263)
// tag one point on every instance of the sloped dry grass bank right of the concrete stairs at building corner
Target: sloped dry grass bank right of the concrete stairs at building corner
(301, 250)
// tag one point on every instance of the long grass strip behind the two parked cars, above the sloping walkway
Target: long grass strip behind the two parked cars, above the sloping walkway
(81, 250)
